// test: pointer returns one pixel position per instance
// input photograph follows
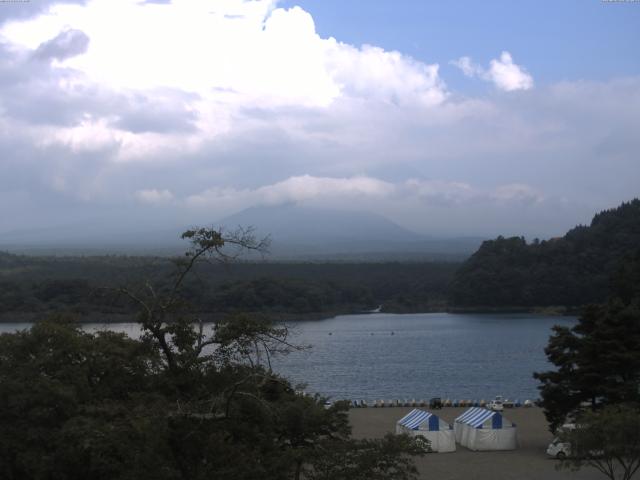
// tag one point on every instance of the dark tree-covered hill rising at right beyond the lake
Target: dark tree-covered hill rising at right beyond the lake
(570, 271)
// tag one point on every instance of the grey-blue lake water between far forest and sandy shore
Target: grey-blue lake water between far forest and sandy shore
(385, 356)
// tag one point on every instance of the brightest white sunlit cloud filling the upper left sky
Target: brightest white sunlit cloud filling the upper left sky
(223, 56)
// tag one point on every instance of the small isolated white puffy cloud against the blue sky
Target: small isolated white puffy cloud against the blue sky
(503, 73)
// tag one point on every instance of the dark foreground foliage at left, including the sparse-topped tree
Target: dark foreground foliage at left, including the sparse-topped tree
(179, 403)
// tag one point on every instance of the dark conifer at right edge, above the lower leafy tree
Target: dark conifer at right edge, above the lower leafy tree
(598, 360)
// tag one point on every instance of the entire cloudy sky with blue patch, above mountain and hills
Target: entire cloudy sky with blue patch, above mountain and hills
(450, 118)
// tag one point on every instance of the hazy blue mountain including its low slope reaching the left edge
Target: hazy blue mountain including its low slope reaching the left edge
(297, 233)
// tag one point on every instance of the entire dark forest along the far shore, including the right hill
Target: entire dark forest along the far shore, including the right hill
(505, 273)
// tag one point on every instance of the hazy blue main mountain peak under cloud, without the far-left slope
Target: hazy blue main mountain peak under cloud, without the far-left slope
(315, 233)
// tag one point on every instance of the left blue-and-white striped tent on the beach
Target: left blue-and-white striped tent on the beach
(426, 424)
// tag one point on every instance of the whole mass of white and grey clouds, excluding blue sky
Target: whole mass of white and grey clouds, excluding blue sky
(229, 103)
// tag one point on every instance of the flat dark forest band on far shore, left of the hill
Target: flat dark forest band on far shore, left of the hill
(40, 284)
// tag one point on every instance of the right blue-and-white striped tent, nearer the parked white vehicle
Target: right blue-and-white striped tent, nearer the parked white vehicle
(482, 429)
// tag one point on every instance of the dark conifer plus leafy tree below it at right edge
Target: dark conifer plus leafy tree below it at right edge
(594, 383)
